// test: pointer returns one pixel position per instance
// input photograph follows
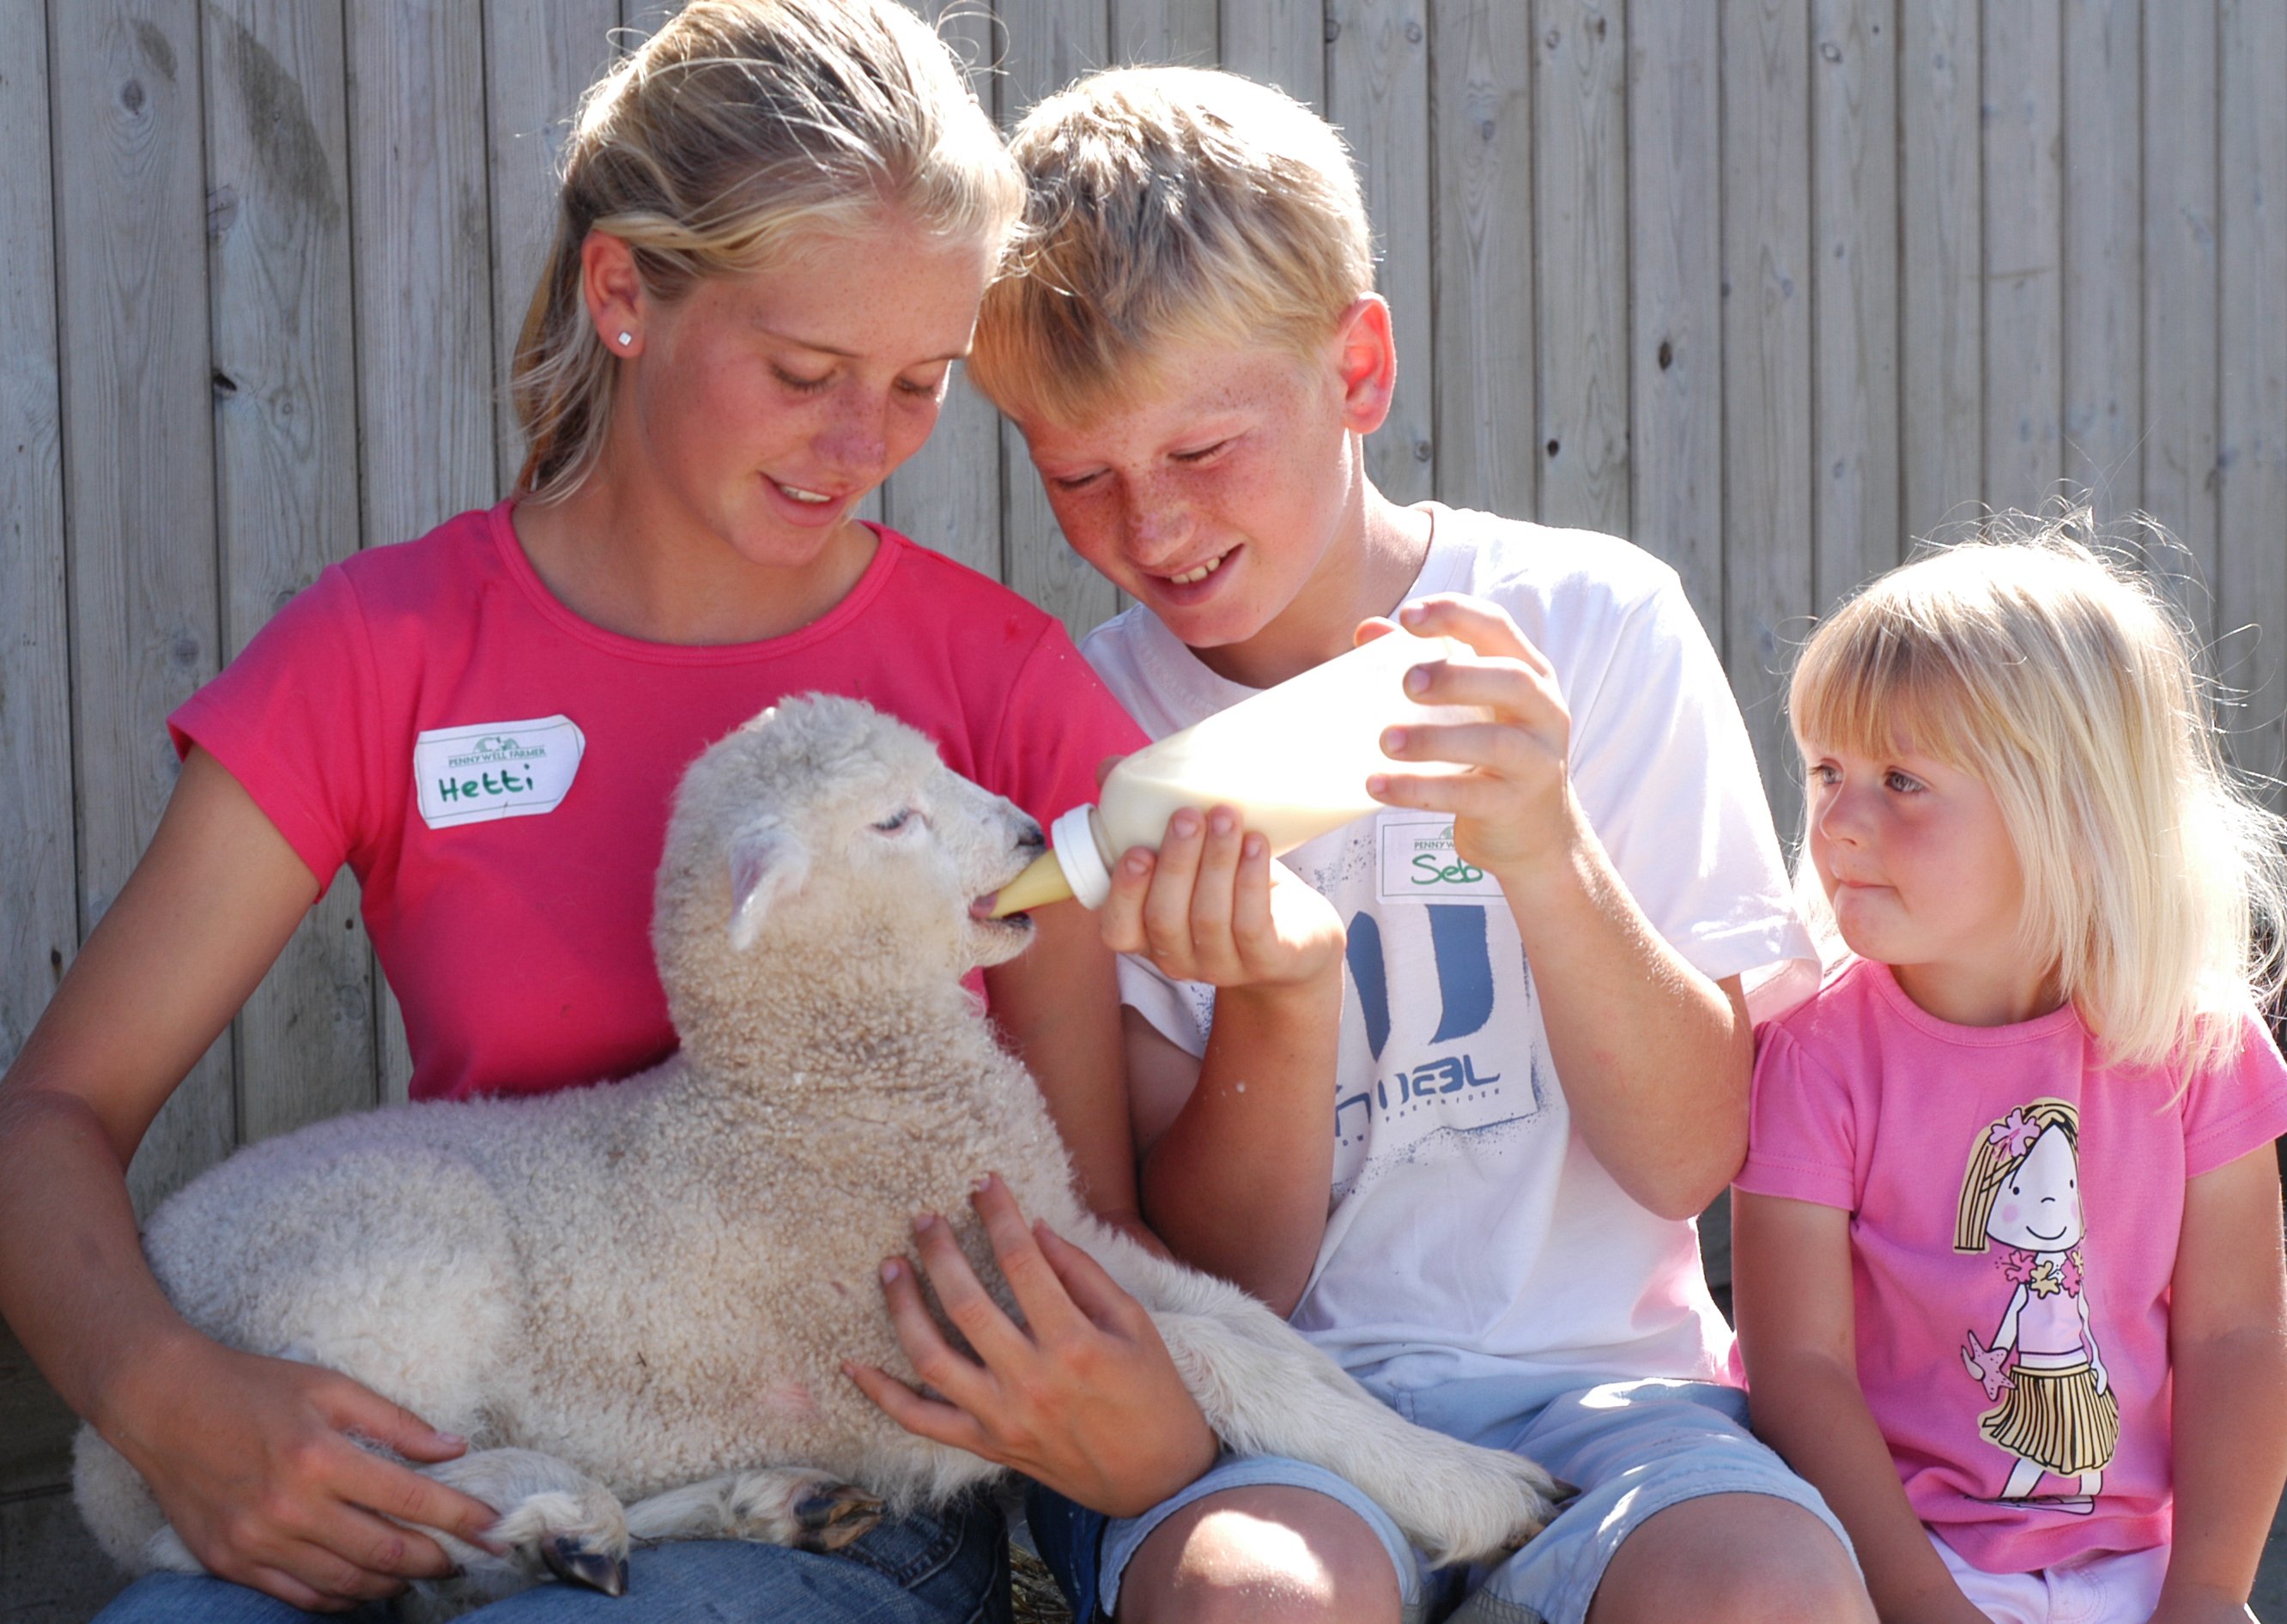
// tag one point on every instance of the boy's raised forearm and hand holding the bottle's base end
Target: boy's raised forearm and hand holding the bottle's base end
(1655, 1056)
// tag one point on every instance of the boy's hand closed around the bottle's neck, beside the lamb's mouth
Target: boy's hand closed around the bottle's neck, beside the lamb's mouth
(1216, 907)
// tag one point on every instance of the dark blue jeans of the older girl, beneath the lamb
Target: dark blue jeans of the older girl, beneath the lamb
(946, 1568)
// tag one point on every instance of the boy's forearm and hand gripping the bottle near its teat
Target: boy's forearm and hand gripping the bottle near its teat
(1238, 1145)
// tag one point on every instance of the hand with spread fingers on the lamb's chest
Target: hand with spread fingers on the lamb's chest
(1083, 1396)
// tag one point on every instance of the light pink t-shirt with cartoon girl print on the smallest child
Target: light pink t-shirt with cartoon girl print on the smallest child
(2014, 1223)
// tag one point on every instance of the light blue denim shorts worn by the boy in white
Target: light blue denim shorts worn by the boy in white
(1632, 1449)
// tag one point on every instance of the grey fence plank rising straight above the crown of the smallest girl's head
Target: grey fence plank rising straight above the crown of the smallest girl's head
(2023, 253)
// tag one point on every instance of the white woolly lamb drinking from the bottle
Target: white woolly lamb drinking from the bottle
(642, 1296)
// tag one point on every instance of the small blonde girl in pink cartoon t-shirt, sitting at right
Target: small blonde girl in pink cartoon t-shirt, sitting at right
(2011, 1287)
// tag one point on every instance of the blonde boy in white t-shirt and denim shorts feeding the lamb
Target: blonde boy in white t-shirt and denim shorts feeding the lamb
(1460, 1138)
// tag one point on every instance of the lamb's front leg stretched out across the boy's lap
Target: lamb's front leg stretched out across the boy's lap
(1268, 1392)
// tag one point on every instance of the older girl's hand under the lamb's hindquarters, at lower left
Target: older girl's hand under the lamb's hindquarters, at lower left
(260, 1470)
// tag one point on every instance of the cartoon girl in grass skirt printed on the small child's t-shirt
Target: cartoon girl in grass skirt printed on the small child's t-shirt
(2057, 1410)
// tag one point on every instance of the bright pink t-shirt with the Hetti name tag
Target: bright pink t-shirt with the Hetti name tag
(497, 772)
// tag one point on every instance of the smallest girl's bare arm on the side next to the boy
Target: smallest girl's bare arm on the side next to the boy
(1796, 1330)
